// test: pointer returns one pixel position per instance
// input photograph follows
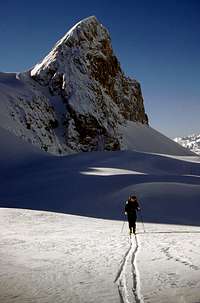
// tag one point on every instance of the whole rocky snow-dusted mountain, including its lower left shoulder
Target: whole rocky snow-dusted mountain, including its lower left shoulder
(76, 98)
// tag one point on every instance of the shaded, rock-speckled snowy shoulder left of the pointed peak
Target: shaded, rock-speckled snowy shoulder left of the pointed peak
(26, 111)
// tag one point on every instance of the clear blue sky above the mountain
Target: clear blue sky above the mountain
(157, 42)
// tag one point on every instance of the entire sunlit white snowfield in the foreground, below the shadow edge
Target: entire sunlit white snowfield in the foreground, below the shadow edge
(49, 257)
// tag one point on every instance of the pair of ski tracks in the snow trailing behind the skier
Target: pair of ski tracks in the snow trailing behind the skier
(121, 279)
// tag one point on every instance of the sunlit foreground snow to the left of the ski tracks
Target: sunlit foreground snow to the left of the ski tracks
(47, 257)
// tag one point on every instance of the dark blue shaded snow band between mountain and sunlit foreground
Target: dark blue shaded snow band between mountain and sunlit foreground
(64, 184)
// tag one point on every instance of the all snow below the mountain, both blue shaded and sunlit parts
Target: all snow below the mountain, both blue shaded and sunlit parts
(61, 237)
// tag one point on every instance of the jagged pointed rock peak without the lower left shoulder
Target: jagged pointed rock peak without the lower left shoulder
(84, 73)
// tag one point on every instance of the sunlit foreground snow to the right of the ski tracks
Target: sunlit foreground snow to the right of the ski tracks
(168, 264)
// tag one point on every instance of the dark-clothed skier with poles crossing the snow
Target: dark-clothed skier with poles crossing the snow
(131, 207)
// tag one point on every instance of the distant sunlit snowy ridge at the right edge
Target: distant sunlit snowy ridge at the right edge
(191, 142)
